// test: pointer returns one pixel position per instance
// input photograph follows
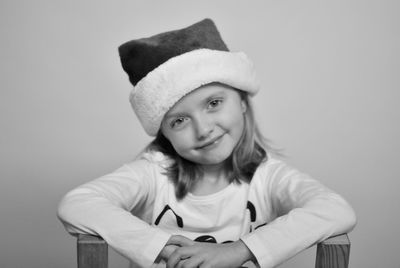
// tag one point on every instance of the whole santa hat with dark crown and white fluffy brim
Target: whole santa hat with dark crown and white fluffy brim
(165, 67)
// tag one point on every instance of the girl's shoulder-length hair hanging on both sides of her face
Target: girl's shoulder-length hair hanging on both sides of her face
(247, 155)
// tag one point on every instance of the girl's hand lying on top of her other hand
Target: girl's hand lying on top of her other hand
(205, 255)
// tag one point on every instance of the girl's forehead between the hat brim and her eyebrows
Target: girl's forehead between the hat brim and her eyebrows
(199, 96)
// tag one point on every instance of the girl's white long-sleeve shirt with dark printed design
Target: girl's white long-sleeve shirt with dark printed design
(279, 213)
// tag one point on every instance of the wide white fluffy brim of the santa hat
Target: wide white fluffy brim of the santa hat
(164, 86)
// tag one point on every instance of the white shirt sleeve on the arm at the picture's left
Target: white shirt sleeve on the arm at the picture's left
(104, 207)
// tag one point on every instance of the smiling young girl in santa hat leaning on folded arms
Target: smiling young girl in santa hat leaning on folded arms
(206, 192)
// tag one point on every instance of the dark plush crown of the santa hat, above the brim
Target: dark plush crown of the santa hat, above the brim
(141, 56)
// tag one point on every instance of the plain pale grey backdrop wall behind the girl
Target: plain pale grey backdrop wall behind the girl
(330, 74)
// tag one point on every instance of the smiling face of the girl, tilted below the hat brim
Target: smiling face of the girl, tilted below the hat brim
(205, 125)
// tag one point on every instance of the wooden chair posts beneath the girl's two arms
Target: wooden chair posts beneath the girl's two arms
(331, 253)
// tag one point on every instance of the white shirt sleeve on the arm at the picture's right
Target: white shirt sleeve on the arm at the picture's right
(306, 212)
